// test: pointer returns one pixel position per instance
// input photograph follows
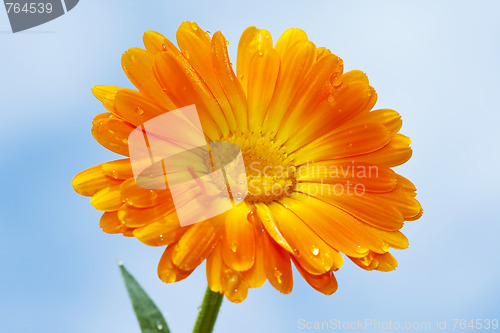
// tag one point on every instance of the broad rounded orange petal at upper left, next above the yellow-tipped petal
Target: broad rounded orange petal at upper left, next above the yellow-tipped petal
(137, 64)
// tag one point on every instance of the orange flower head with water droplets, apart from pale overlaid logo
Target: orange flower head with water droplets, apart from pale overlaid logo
(320, 184)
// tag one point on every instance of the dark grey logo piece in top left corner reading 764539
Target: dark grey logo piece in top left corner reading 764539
(28, 14)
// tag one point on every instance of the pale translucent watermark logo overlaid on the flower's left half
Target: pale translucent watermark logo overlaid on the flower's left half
(170, 152)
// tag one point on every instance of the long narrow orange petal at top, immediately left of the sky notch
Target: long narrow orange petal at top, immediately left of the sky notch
(228, 81)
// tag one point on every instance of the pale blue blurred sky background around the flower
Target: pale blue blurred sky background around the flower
(436, 62)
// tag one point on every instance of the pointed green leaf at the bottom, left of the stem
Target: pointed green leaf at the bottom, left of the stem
(149, 316)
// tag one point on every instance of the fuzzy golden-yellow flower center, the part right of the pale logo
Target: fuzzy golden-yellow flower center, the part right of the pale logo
(269, 170)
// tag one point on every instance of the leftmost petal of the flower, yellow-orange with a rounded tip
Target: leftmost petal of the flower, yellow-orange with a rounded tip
(92, 180)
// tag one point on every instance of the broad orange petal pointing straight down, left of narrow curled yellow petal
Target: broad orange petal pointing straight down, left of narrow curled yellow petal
(238, 241)
